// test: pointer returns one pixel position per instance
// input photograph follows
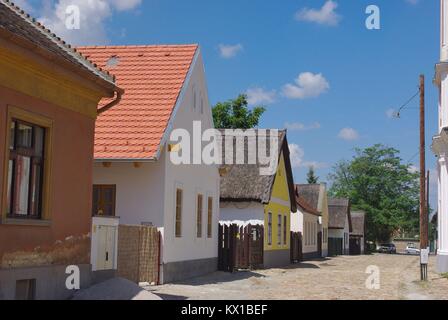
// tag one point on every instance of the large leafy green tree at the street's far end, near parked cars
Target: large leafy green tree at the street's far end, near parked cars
(377, 182)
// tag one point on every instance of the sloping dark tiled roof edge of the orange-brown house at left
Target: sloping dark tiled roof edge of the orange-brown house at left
(59, 41)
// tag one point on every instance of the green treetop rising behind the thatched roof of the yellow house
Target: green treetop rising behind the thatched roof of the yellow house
(235, 114)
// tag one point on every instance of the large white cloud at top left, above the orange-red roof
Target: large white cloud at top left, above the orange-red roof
(93, 16)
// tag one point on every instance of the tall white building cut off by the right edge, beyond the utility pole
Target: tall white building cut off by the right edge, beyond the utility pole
(440, 142)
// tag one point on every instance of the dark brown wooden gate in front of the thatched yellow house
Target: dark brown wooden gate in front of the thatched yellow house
(240, 247)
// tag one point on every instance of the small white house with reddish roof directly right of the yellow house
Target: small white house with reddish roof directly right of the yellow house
(306, 221)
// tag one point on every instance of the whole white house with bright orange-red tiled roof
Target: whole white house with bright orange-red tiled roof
(134, 177)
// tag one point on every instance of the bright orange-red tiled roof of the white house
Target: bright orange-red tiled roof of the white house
(152, 78)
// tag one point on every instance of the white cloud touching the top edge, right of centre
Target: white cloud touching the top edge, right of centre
(326, 15)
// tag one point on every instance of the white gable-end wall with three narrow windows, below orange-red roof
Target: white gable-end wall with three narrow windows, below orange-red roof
(193, 179)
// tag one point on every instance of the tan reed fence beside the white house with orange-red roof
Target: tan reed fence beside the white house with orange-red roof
(139, 253)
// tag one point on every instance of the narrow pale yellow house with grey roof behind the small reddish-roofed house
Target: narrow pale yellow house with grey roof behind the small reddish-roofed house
(316, 196)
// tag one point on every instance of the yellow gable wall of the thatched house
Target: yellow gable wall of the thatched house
(279, 207)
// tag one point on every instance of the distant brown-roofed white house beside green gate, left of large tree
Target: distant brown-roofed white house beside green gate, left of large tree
(339, 226)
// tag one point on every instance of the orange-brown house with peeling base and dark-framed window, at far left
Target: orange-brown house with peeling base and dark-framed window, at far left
(49, 96)
